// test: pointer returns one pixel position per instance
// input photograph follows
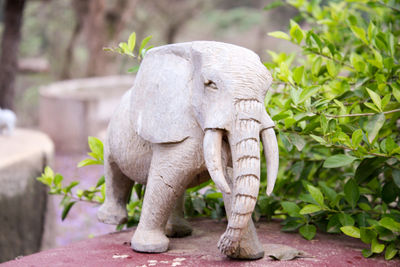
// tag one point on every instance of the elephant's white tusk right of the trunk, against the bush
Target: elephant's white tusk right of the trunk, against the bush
(271, 153)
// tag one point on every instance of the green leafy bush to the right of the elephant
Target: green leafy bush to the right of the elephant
(337, 107)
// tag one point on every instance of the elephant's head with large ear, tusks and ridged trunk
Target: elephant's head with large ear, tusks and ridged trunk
(216, 90)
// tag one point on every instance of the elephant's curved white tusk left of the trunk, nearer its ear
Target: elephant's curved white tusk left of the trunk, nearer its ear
(212, 145)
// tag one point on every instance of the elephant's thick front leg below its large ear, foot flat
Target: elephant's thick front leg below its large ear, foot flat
(172, 168)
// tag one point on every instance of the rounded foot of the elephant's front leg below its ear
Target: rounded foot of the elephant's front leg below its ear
(150, 241)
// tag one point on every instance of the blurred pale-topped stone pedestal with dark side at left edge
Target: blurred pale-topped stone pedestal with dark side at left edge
(22, 199)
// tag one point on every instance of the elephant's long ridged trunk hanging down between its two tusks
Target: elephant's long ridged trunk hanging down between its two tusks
(245, 148)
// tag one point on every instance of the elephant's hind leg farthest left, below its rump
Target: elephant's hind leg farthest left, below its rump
(118, 188)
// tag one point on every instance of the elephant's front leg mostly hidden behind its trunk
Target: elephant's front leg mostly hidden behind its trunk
(249, 246)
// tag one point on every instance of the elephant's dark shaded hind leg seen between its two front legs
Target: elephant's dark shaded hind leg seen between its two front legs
(177, 226)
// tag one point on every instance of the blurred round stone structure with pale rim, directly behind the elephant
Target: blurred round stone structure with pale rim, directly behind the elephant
(72, 110)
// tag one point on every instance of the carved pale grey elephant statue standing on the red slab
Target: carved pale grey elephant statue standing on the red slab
(195, 112)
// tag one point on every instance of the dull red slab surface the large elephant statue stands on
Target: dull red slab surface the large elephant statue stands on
(200, 249)
